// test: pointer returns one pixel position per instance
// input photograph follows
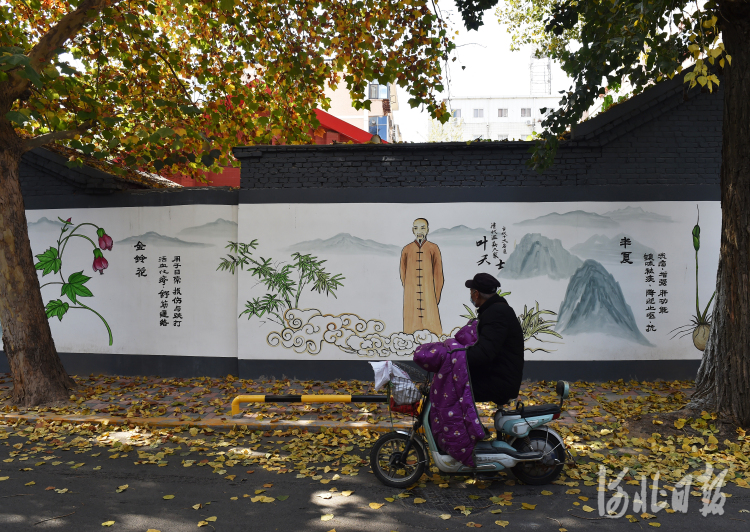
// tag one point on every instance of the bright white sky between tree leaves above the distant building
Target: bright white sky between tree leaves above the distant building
(491, 70)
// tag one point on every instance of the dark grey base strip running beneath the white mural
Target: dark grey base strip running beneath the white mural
(179, 366)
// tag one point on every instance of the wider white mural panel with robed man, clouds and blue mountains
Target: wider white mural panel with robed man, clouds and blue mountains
(588, 281)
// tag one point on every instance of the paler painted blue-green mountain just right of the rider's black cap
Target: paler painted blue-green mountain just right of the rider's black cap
(537, 255)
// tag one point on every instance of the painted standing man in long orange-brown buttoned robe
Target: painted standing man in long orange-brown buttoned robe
(422, 277)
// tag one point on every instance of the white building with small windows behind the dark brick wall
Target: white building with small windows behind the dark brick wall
(501, 117)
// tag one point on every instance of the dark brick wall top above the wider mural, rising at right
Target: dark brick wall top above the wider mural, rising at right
(664, 136)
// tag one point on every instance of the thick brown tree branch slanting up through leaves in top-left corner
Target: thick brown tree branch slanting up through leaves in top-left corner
(68, 26)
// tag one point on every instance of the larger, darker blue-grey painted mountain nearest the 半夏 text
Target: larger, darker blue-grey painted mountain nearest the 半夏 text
(594, 303)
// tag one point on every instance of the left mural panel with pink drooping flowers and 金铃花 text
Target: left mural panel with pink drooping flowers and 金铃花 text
(159, 294)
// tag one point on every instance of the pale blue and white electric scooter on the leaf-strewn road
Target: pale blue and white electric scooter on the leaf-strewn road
(534, 452)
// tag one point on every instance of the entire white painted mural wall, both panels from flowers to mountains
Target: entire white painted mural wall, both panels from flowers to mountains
(589, 281)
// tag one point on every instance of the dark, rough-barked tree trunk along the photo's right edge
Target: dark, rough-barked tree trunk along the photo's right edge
(723, 382)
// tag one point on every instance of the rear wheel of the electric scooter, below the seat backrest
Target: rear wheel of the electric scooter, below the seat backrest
(541, 471)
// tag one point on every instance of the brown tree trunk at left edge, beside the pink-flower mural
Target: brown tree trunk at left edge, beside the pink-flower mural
(38, 375)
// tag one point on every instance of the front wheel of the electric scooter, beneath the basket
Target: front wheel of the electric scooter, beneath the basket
(391, 467)
